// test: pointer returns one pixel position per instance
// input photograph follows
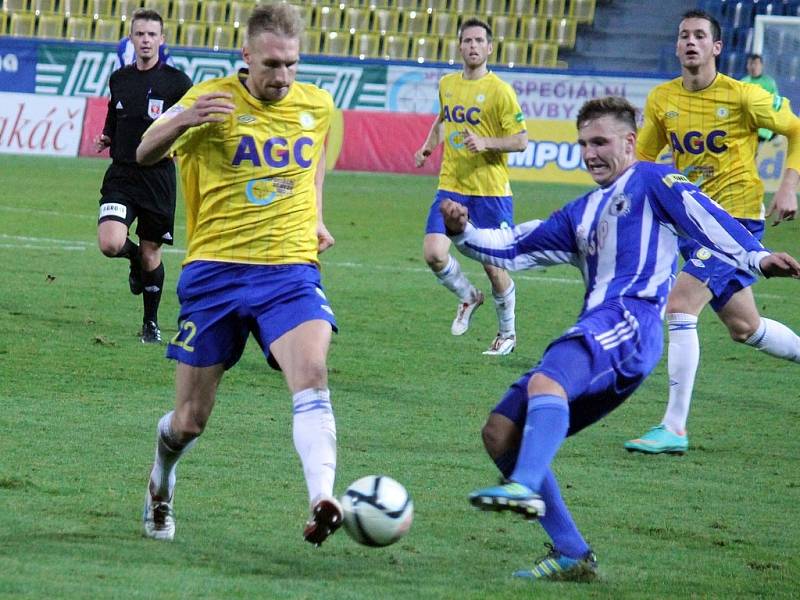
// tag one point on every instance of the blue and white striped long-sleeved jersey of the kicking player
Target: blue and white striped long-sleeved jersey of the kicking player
(623, 237)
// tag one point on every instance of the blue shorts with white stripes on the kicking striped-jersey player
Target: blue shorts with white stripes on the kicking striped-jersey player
(600, 362)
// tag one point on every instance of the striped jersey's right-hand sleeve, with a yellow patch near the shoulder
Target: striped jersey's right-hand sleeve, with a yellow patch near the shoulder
(693, 215)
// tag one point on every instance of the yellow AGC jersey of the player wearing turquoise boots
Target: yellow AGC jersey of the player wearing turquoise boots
(713, 135)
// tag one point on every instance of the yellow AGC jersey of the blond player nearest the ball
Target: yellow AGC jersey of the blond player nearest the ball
(248, 182)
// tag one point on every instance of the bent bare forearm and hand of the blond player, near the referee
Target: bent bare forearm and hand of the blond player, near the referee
(156, 142)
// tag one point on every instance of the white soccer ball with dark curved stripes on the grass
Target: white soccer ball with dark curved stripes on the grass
(377, 510)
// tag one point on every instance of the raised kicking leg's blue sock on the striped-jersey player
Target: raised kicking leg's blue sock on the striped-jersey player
(545, 428)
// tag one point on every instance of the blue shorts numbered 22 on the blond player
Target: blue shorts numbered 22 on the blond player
(222, 303)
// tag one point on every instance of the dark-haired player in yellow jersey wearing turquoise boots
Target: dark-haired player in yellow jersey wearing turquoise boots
(711, 124)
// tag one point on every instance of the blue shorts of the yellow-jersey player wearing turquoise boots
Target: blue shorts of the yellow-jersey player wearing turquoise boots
(722, 279)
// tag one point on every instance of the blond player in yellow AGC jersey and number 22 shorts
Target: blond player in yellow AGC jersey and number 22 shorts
(252, 162)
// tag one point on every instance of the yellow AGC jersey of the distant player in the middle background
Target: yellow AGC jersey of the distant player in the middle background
(487, 107)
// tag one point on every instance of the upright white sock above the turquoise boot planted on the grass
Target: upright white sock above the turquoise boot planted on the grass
(683, 356)
